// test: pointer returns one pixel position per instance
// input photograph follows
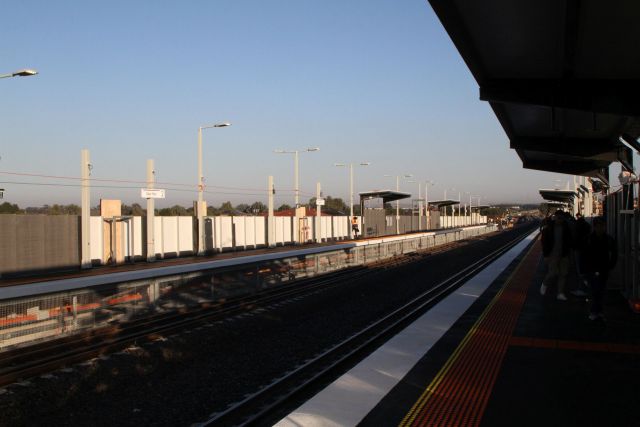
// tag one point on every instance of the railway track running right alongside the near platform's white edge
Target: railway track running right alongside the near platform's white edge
(261, 407)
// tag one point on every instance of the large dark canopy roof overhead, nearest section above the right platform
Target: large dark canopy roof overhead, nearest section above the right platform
(562, 76)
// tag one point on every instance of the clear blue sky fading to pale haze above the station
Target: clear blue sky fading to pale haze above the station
(366, 80)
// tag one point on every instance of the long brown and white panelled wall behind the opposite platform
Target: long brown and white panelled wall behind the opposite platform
(41, 242)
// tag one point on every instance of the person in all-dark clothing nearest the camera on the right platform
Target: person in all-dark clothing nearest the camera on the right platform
(601, 255)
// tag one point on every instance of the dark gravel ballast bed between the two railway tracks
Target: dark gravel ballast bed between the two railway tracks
(181, 379)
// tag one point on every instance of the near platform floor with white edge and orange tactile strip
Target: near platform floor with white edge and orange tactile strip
(495, 353)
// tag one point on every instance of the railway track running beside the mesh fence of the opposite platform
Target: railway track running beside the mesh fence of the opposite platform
(37, 359)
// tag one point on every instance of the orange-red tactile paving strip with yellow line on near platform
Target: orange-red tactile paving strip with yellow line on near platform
(459, 393)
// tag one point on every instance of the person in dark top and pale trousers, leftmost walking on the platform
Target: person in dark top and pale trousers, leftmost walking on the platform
(556, 248)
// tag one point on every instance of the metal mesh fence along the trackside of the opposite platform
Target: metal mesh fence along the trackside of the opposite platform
(25, 320)
